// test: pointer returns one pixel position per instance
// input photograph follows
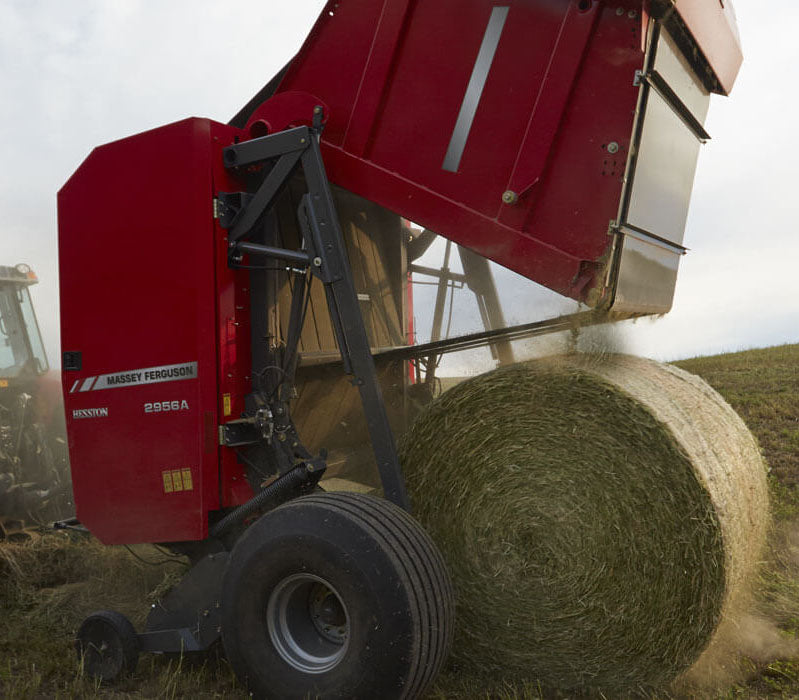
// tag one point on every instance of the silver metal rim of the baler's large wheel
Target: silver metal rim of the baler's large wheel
(308, 623)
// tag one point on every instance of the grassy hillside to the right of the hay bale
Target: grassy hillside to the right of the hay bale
(763, 387)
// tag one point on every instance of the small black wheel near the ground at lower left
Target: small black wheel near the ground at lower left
(107, 646)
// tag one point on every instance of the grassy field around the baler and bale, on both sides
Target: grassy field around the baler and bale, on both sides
(48, 586)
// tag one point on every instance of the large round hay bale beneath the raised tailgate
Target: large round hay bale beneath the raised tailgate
(600, 518)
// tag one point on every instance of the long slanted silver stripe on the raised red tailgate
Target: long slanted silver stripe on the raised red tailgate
(474, 90)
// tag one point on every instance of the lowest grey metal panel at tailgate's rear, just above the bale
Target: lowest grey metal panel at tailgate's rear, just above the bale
(647, 276)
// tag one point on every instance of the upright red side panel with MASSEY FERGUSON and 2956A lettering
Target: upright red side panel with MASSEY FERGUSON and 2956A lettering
(138, 247)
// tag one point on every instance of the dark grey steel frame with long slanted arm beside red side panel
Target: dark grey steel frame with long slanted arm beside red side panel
(324, 255)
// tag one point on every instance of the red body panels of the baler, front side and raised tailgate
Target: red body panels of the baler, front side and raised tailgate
(161, 323)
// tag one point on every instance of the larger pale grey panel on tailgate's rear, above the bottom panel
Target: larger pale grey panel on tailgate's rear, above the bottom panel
(664, 173)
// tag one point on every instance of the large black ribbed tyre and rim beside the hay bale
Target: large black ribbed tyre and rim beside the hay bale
(336, 595)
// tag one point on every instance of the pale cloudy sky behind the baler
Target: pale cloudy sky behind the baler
(74, 75)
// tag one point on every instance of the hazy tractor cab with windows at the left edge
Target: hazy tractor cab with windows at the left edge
(22, 353)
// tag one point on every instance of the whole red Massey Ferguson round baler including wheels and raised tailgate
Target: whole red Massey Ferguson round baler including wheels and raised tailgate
(211, 375)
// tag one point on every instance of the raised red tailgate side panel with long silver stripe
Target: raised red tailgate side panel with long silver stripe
(559, 89)
